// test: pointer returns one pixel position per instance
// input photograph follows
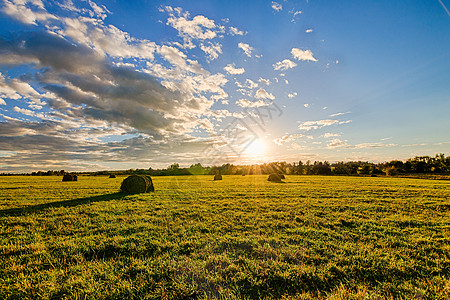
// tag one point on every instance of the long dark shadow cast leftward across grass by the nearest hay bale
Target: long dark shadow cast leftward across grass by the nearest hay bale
(67, 203)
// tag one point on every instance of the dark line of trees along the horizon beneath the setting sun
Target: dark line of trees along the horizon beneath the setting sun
(439, 164)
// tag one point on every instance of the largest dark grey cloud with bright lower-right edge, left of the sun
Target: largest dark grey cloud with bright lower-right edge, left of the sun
(96, 89)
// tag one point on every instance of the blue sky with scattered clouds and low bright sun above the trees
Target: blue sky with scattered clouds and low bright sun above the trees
(102, 85)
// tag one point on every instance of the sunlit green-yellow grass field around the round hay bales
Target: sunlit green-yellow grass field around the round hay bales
(241, 238)
